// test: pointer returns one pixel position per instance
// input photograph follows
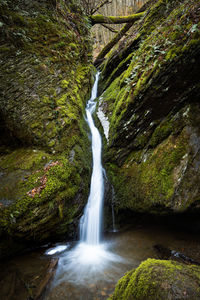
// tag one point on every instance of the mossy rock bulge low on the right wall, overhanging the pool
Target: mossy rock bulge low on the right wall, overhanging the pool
(161, 174)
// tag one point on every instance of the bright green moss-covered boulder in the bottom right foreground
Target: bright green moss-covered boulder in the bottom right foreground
(159, 280)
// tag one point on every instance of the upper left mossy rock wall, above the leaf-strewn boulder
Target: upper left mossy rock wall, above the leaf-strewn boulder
(50, 71)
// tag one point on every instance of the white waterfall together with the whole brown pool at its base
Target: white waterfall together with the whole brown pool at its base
(90, 268)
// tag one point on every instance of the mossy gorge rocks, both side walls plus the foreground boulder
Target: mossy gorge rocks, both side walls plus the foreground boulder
(149, 92)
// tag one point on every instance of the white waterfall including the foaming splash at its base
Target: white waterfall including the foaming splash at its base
(88, 260)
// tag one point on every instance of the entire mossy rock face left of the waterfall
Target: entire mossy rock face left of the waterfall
(45, 57)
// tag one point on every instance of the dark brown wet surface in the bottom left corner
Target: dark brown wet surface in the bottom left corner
(21, 278)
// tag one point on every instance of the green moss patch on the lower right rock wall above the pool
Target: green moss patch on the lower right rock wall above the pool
(144, 182)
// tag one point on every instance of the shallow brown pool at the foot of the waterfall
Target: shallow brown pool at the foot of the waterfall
(122, 252)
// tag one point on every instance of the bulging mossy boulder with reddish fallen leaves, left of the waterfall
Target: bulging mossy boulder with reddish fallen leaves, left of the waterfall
(42, 196)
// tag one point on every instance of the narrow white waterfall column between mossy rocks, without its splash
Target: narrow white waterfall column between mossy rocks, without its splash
(90, 224)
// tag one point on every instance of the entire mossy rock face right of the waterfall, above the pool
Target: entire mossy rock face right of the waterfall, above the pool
(151, 97)
